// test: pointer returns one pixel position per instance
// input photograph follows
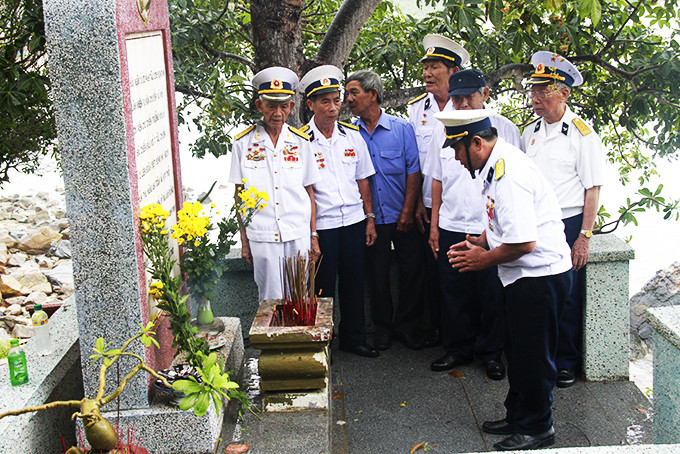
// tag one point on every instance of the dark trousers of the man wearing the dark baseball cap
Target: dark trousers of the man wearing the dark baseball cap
(472, 306)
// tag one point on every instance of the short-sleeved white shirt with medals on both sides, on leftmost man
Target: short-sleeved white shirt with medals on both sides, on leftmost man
(283, 171)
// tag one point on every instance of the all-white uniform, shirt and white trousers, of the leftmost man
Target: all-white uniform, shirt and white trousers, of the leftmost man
(282, 228)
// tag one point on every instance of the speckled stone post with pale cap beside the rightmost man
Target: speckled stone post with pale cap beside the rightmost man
(606, 322)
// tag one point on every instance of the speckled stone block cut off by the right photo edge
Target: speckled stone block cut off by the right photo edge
(666, 338)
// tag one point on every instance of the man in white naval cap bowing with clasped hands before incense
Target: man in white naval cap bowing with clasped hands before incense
(524, 237)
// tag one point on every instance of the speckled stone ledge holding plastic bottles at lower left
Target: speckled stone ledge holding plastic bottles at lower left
(56, 376)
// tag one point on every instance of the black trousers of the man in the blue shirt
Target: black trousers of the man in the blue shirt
(405, 318)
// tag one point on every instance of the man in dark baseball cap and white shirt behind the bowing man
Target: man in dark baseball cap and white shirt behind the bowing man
(471, 303)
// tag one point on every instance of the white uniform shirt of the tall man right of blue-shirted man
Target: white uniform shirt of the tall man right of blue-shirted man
(421, 116)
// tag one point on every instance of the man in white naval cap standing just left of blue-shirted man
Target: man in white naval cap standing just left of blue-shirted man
(345, 222)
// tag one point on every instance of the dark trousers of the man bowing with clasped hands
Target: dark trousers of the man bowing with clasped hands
(533, 306)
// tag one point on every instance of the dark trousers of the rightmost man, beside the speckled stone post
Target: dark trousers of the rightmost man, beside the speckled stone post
(569, 343)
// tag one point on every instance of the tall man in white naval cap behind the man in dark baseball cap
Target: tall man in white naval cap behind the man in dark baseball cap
(443, 57)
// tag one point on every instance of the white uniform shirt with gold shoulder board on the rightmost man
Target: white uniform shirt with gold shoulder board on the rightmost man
(570, 156)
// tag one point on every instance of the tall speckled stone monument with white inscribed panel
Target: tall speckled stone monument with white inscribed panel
(113, 90)
